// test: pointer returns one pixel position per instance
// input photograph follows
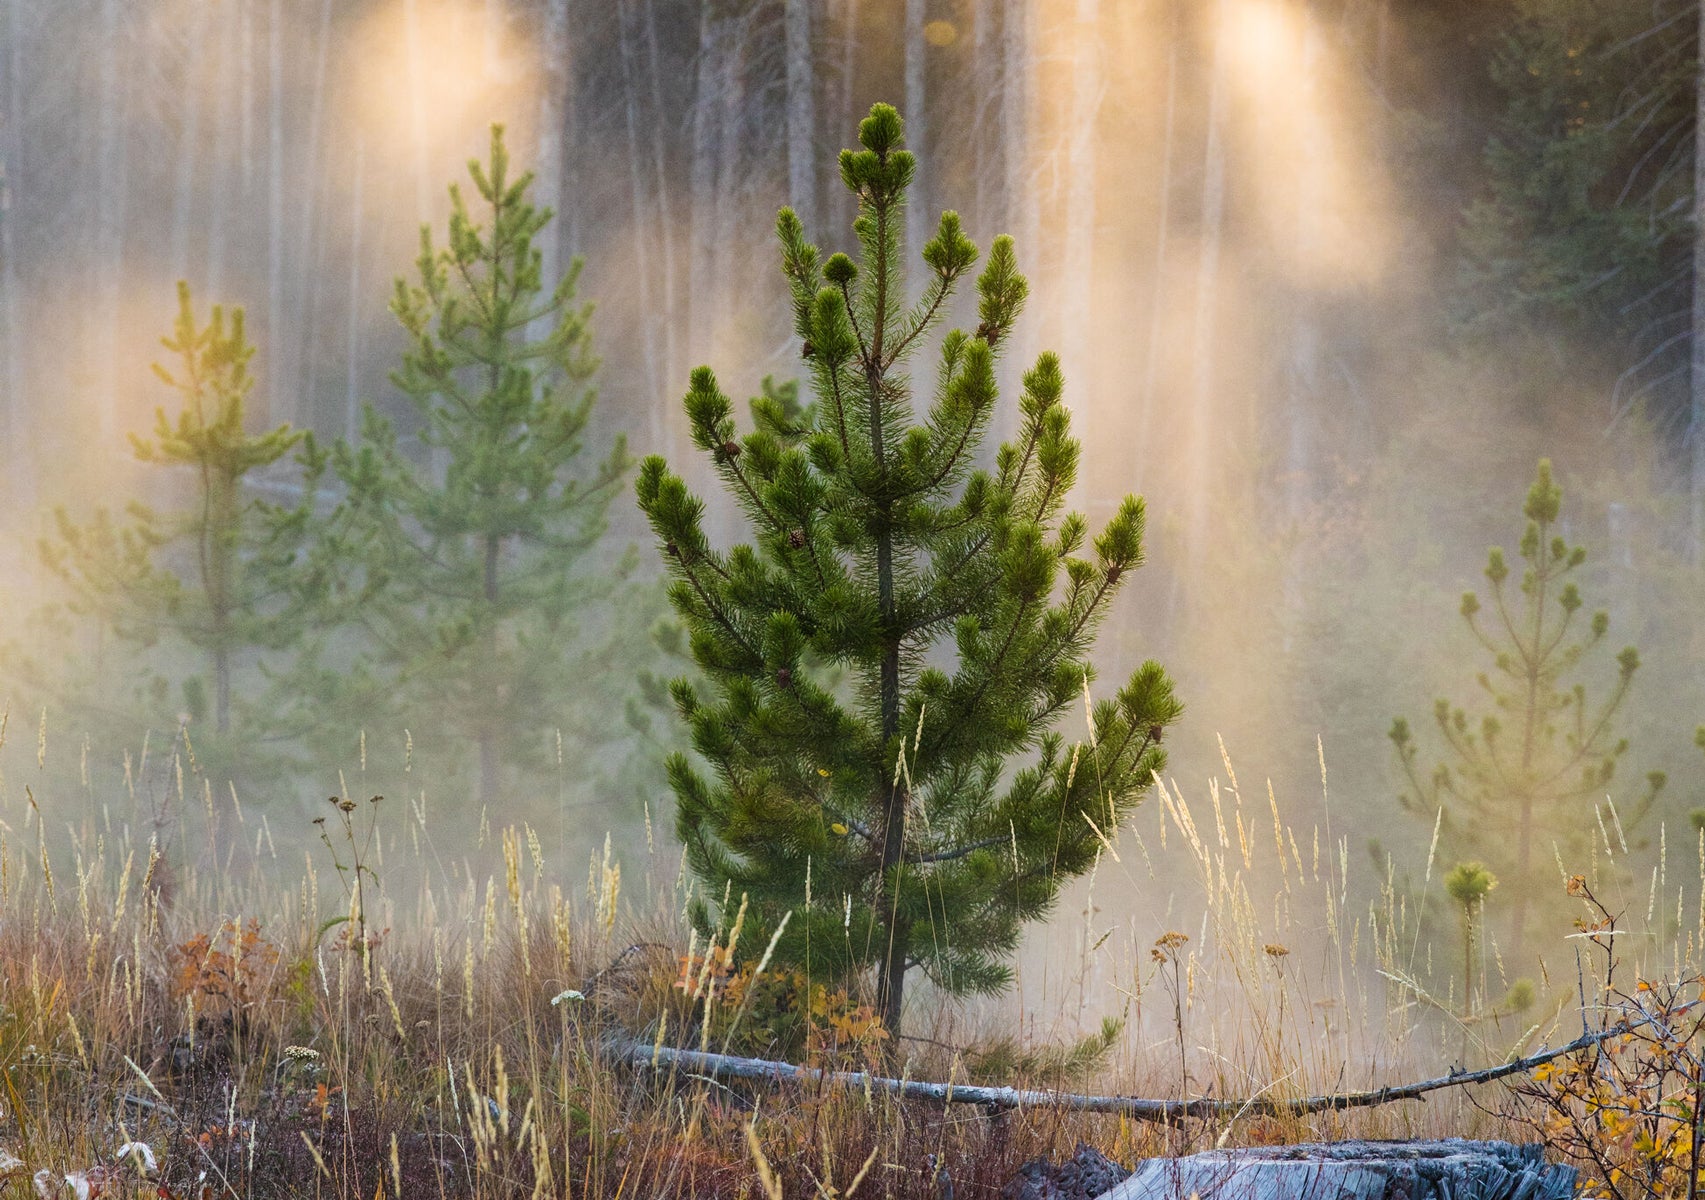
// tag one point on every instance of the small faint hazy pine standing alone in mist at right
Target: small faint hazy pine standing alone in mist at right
(1534, 766)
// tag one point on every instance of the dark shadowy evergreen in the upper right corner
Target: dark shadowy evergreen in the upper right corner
(1585, 229)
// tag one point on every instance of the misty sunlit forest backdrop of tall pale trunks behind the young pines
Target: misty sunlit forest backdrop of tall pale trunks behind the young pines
(1327, 277)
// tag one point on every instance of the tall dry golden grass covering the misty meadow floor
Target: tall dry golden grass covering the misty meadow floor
(386, 1022)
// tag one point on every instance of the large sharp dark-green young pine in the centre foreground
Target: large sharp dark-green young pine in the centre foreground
(886, 821)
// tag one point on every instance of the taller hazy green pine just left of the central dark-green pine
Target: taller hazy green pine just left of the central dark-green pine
(468, 563)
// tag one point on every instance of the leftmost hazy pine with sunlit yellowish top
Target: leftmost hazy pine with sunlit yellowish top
(216, 575)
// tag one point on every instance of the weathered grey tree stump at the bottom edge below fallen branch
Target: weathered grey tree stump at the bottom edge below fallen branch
(1443, 1170)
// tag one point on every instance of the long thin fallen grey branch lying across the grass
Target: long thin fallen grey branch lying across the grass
(727, 1066)
